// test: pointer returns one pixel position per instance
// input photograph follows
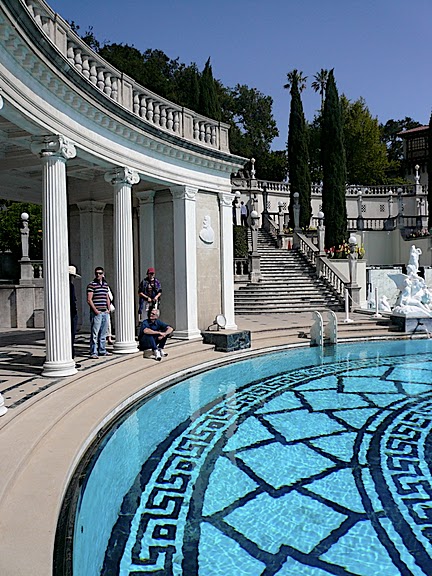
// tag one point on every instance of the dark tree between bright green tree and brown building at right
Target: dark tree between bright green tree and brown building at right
(390, 136)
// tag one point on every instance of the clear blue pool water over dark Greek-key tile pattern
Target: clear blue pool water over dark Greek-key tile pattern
(299, 463)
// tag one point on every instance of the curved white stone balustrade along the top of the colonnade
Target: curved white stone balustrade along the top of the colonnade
(148, 106)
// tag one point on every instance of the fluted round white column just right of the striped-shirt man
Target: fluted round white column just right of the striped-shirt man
(122, 180)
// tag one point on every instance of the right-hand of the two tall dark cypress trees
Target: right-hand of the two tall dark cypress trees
(334, 167)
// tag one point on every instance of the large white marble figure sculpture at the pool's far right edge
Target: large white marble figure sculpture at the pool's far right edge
(415, 298)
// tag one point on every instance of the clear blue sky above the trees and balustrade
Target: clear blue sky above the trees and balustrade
(379, 49)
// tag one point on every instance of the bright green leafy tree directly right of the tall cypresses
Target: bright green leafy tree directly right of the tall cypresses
(366, 156)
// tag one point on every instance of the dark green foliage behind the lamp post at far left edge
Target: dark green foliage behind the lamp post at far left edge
(11, 224)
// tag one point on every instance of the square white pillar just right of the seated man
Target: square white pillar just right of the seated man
(185, 262)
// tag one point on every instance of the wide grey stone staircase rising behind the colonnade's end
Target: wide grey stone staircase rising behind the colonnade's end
(288, 284)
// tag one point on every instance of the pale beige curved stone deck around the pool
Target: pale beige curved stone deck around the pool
(51, 422)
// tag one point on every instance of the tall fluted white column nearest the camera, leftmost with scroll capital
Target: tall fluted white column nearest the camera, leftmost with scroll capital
(54, 151)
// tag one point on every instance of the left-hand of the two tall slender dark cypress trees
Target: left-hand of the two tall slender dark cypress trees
(298, 158)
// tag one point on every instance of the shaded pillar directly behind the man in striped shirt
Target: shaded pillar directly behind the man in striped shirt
(92, 249)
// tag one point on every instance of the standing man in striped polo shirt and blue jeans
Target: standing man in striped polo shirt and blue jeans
(99, 302)
